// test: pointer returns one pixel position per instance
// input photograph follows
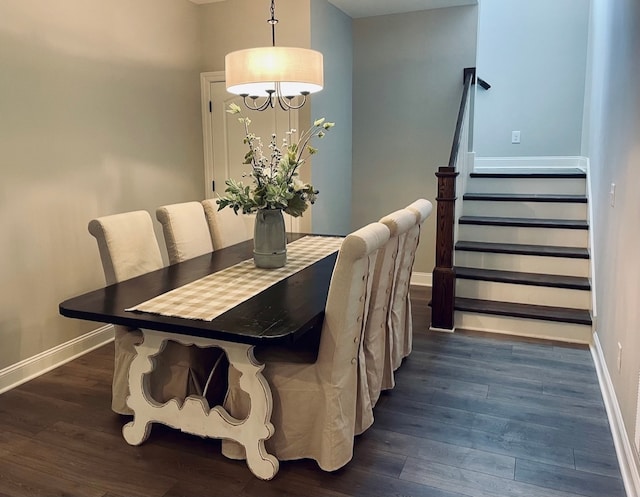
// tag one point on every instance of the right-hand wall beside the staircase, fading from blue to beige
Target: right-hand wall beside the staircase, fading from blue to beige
(611, 141)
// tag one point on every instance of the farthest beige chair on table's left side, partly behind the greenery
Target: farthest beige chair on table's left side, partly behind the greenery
(227, 227)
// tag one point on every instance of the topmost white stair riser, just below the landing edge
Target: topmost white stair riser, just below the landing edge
(567, 186)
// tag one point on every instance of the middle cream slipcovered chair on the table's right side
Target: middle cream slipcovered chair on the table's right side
(379, 337)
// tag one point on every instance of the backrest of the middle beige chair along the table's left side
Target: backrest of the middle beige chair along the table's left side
(186, 232)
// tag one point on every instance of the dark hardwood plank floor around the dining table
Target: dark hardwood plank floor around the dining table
(471, 415)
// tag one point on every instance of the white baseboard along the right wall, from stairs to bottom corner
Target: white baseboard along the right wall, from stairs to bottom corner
(621, 440)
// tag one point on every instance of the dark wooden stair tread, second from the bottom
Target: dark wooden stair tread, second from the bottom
(521, 278)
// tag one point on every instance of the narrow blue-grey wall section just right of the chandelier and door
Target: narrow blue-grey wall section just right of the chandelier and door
(331, 35)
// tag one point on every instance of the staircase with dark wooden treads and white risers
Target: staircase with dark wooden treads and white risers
(522, 259)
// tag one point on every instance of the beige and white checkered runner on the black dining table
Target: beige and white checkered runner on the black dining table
(208, 297)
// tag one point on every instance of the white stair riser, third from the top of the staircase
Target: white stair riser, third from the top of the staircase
(528, 236)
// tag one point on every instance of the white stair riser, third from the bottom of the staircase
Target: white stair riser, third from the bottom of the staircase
(524, 263)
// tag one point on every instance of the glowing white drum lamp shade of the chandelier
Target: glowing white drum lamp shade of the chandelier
(255, 71)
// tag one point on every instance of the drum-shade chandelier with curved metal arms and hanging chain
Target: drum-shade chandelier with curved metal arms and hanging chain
(268, 76)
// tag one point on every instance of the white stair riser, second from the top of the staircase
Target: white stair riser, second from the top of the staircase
(538, 210)
